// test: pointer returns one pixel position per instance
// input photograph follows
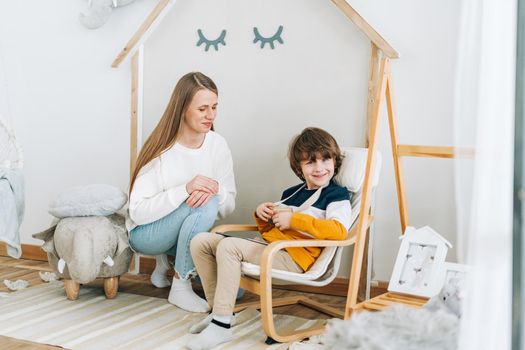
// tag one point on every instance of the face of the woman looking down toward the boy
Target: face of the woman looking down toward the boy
(201, 112)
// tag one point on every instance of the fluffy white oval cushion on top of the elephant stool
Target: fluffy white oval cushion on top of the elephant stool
(89, 200)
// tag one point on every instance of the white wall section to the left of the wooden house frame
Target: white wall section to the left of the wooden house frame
(70, 109)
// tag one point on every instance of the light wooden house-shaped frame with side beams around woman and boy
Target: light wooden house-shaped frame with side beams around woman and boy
(379, 85)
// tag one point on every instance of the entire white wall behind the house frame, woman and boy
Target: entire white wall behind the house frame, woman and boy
(71, 110)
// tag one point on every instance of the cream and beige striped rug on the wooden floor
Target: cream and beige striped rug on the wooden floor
(43, 314)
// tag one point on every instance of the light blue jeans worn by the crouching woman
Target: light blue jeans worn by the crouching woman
(172, 234)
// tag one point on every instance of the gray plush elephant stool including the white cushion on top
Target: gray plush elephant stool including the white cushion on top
(88, 241)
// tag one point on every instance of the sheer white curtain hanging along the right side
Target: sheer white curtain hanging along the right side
(484, 121)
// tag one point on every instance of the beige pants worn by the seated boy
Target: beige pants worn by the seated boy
(218, 262)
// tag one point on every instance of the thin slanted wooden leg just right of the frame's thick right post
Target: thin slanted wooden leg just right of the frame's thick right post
(398, 168)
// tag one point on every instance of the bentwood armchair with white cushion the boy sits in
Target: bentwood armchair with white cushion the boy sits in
(258, 279)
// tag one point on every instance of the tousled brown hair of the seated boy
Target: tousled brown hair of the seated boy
(310, 143)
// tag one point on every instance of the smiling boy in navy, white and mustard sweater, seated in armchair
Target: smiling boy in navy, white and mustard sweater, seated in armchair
(317, 209)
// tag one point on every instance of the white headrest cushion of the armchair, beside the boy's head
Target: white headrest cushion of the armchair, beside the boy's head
(352, 172)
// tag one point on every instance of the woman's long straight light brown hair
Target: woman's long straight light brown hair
(165, 133)
